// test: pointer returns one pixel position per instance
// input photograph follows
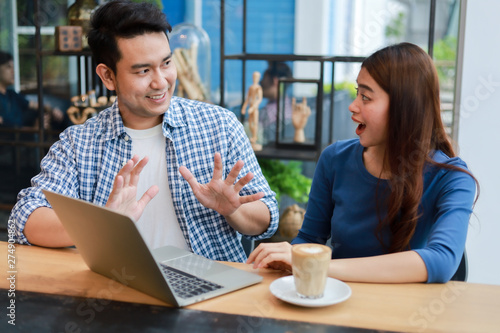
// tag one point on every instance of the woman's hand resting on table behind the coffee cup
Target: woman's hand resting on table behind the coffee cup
(272, 255)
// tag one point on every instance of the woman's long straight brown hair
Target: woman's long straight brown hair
(415, 129)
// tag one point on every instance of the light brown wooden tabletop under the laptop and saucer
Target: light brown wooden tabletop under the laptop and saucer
(450, 307)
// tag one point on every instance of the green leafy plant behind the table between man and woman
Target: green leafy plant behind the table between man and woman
(286, 178)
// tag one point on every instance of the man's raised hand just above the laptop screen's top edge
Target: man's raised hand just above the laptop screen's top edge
(123, 197)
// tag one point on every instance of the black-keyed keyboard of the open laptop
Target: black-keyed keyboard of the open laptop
(186, 285)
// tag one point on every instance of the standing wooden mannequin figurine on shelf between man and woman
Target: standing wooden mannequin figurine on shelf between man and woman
(253, 99)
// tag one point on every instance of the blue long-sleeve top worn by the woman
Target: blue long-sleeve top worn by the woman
(343, 208)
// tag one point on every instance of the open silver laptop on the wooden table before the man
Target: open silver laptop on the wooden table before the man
(111, 245)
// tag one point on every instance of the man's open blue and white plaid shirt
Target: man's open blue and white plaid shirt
(86, 159)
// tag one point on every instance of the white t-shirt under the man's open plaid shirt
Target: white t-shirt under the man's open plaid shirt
(158, 223)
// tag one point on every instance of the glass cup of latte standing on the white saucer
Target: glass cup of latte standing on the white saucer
(310, 268)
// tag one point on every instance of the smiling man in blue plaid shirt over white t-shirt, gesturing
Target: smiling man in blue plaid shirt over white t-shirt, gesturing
(208, 208)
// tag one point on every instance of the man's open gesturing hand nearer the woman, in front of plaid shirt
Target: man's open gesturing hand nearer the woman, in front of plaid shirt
(220, 194)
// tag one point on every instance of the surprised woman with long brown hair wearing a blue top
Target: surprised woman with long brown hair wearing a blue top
(396, 202)
